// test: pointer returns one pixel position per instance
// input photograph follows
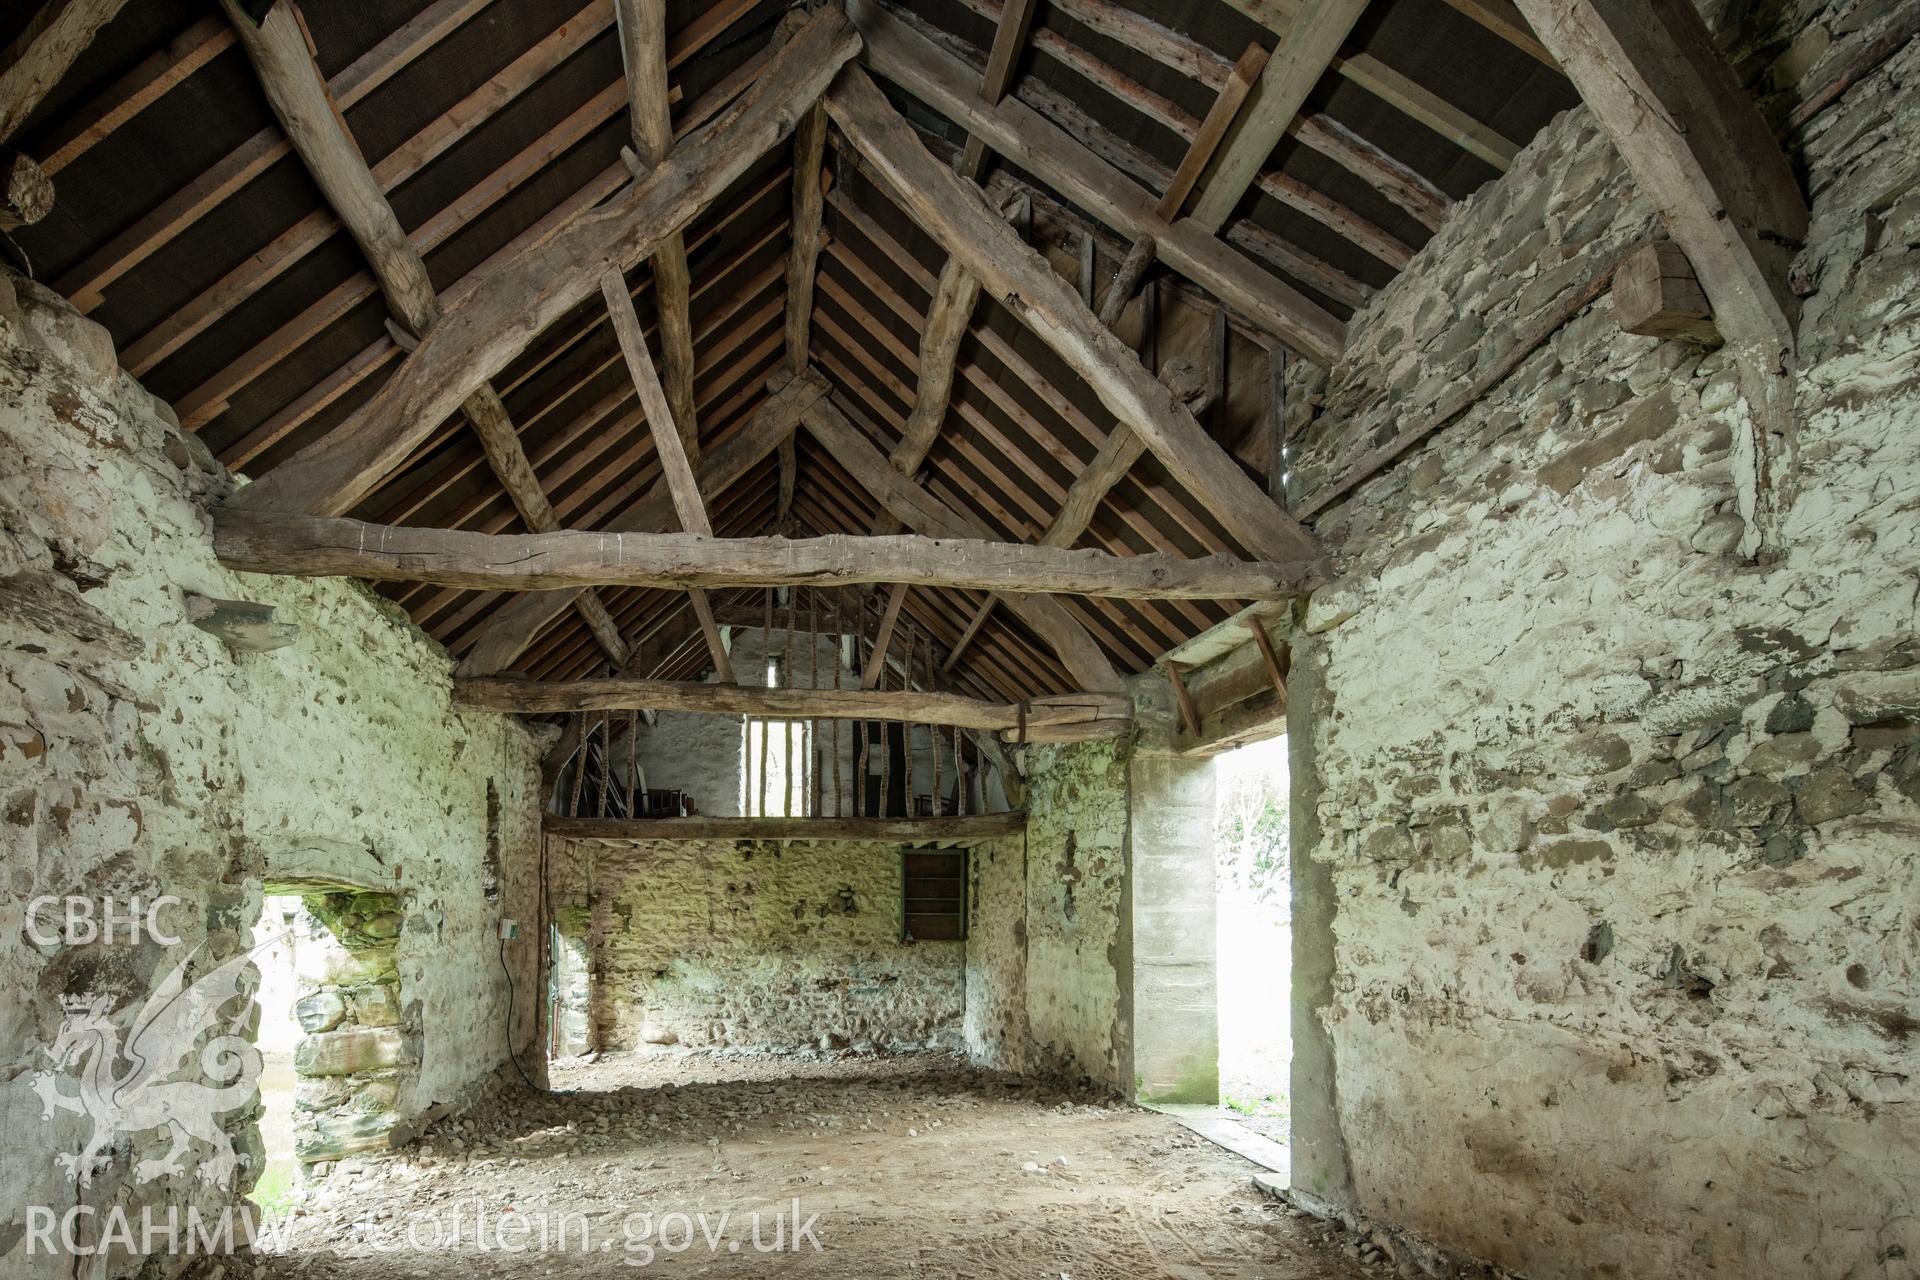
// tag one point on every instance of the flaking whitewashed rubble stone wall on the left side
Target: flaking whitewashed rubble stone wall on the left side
(141, 757)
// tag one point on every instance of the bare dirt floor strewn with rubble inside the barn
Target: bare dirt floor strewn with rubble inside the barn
(898, 1168)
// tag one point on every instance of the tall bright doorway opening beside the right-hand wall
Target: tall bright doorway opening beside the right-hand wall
(1255, 936)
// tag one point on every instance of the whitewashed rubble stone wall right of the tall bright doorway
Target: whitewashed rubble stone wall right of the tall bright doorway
(1610, 830)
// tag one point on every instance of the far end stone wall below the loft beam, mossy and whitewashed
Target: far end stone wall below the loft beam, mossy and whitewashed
(757, 945)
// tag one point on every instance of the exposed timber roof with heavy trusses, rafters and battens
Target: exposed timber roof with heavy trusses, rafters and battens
(861, 331)
